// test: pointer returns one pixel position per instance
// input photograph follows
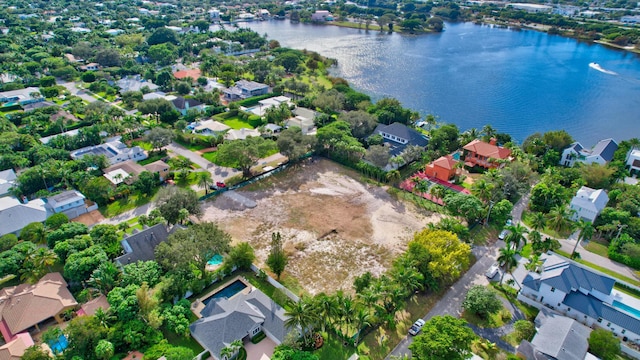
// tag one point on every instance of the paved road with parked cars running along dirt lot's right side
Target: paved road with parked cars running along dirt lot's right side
(451, 303)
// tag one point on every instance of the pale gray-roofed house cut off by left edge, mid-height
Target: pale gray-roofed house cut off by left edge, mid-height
(15, 215)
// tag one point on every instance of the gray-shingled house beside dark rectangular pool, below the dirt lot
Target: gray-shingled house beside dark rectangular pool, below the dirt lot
(240, 317)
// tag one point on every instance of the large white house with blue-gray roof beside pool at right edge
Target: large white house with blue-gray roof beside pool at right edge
(581, 294)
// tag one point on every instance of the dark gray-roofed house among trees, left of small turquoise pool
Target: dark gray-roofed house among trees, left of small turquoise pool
(141, 245)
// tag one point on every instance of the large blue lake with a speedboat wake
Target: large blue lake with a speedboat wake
(520, 82)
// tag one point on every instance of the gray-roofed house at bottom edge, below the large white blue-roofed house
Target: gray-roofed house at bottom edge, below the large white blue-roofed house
(557, 337)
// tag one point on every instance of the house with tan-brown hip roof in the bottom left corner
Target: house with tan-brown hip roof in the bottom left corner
(25, 307)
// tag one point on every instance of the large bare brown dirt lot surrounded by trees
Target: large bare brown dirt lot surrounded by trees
(334, 226)
